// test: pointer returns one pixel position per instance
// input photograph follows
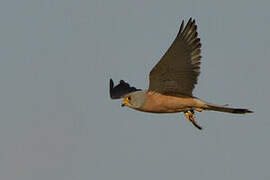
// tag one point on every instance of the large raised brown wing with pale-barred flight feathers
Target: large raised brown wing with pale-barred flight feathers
(178, 70)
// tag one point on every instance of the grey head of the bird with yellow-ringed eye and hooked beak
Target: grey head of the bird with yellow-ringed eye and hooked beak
(134, 100)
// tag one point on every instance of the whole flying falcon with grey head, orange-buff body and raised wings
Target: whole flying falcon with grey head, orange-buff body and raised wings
(172, 81)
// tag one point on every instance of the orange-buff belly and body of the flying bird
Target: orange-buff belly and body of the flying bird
(158, 103)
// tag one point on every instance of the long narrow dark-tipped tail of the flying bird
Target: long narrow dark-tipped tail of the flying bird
(214, 107)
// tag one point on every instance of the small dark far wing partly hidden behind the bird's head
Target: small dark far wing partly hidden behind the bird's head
(120, 90)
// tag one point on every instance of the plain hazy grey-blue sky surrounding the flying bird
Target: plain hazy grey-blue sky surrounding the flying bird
(58, 122)
